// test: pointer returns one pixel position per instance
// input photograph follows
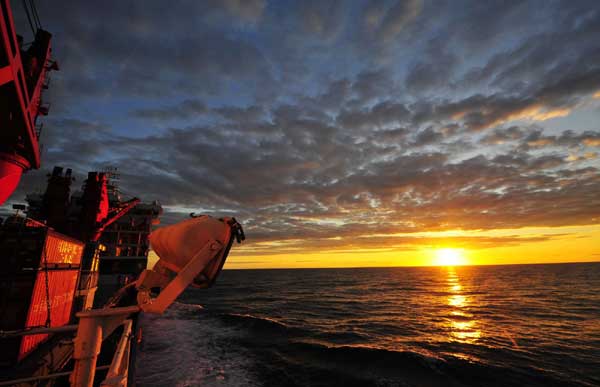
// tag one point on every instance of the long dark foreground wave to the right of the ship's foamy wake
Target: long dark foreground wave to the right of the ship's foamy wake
(302, 352)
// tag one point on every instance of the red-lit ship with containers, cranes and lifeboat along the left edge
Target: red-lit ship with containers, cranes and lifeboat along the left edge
(73, 276)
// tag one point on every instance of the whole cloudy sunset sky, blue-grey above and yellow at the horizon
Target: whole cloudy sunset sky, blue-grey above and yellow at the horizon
(340, 133)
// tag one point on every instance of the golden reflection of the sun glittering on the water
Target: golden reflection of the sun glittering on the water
(463, 327)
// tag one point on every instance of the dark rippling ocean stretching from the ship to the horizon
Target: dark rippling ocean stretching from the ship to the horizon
(517, 325)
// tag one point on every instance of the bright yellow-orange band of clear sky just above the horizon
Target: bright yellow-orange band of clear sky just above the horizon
(502, 246)
